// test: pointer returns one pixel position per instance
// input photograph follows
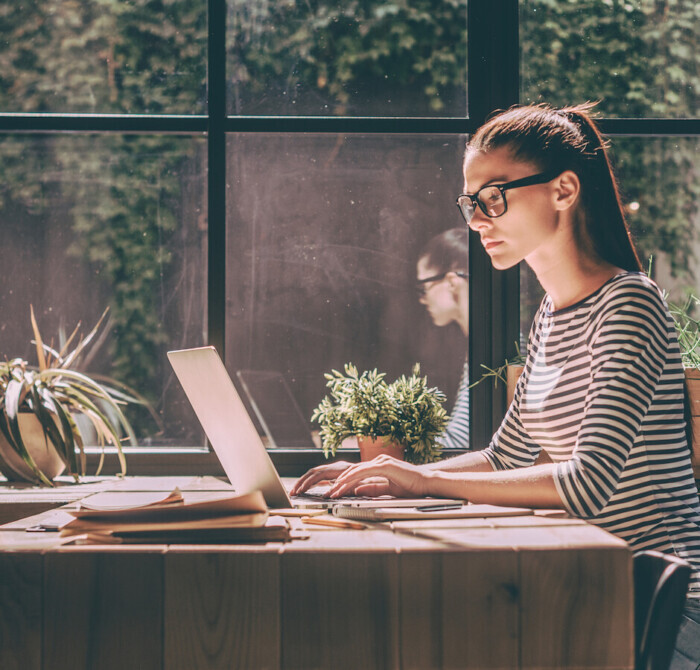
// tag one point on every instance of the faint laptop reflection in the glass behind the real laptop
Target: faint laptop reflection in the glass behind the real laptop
(276, 409)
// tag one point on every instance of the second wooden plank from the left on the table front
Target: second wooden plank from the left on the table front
(103, 609)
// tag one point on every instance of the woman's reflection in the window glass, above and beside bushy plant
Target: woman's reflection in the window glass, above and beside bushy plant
(442, 280)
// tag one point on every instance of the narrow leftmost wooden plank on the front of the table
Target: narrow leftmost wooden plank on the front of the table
(21, 583)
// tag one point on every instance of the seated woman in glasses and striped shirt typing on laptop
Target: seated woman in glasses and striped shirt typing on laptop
(602, 391)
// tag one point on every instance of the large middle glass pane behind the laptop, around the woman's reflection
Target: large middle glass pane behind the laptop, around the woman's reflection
(324, 232)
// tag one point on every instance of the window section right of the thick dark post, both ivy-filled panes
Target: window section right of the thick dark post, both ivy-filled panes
(640, 60)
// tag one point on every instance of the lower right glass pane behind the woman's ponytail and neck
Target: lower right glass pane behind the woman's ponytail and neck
(661, 195)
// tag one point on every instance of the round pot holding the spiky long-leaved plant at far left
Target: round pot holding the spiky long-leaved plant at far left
(42, 451)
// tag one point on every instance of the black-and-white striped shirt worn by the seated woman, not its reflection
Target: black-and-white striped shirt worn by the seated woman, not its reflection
(602, 393)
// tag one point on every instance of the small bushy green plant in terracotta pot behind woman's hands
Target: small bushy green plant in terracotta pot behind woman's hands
(402, 418)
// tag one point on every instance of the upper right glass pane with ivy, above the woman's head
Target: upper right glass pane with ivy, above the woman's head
(640, 58)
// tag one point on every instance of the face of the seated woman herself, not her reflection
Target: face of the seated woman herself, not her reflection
(529, 225)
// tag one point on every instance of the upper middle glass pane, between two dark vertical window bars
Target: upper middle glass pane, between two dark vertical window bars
(357, 58)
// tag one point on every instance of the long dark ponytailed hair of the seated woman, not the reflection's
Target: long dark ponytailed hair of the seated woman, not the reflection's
(567, 139)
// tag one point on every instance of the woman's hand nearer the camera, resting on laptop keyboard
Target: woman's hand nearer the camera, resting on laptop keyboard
(383, 475)
